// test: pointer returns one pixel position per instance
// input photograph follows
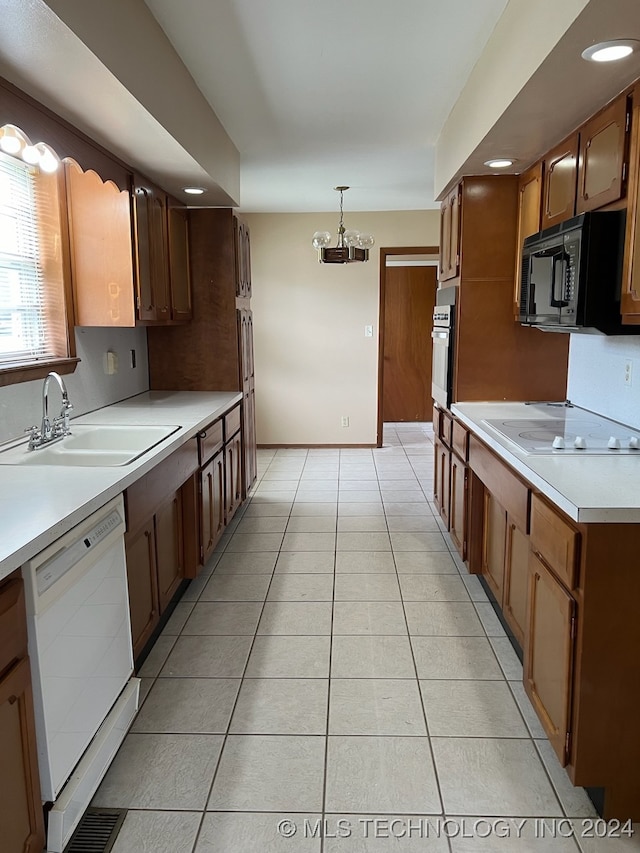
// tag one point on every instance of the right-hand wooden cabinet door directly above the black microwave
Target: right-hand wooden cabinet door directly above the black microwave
(601, 169)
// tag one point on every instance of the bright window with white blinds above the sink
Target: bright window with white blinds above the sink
(33, 323)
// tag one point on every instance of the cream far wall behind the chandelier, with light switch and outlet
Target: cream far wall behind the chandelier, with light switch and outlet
(313, 362)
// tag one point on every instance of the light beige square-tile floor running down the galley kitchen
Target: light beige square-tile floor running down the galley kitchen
(334, 662)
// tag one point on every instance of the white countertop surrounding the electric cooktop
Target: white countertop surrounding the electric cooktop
(587, 488)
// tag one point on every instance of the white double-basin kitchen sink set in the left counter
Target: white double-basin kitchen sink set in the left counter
(92, 445)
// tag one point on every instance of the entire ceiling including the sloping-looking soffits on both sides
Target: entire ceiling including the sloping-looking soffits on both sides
(269, 105)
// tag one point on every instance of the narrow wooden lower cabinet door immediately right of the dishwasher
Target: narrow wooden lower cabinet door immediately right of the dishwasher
(143, 585)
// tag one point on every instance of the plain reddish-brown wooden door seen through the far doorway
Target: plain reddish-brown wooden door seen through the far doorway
(409, 297)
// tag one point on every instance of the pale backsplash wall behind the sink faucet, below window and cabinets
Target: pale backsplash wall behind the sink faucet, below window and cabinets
(89, 387)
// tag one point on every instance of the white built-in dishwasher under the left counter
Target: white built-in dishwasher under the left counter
(82, 662)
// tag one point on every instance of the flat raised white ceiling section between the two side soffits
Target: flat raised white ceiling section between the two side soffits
(315, 95)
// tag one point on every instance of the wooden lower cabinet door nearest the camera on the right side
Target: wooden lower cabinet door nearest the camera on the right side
(548, 654)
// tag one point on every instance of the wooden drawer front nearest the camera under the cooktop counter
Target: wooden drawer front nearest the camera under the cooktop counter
(555, 541)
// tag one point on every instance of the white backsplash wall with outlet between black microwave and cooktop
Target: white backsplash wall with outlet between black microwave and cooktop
(596, 376)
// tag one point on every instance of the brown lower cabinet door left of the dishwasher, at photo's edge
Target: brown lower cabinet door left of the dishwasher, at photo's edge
(21, 815)
